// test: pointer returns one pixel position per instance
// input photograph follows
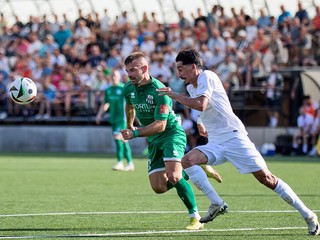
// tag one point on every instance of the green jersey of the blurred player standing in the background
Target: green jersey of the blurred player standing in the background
(114, 96)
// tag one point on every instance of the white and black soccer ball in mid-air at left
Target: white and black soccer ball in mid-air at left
(23, 90)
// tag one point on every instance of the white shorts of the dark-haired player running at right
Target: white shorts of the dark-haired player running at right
(240, 152)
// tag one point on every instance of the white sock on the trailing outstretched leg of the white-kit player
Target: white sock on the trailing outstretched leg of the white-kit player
(287, 194)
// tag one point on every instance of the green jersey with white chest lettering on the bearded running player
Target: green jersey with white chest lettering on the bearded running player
(149, 107)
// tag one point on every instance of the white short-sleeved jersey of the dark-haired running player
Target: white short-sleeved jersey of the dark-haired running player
(219, 119)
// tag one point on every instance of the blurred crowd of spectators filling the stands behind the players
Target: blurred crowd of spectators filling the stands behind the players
(71, 61)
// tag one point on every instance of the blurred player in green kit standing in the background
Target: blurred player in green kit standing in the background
(114, 101)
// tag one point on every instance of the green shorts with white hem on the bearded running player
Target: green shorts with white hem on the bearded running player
(168, 149)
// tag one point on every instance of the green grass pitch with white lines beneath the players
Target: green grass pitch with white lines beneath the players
(64, 196)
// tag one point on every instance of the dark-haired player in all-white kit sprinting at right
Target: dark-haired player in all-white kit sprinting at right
(227, 139)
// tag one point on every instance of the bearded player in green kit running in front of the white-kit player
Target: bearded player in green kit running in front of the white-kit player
(166, 138)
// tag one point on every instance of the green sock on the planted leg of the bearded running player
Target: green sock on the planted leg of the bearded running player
(185, 193)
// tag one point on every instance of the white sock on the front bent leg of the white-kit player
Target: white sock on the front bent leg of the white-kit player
(199, 178)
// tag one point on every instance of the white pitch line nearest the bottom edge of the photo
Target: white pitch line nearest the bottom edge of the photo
(114, 234)
